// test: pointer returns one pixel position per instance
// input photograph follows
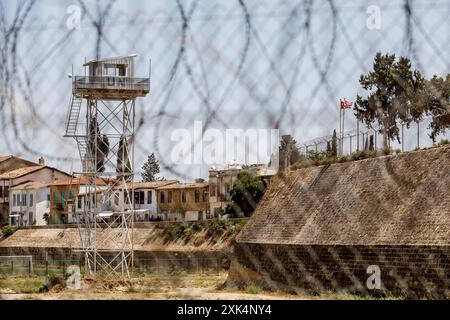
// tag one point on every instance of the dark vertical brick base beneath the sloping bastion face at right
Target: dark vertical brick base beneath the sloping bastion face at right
(410, 271)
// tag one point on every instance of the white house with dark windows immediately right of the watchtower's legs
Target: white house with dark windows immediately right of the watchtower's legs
(145, 199)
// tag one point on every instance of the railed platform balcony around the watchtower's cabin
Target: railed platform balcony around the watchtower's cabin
(111, 86)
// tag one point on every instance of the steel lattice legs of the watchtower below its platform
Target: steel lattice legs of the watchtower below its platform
(106, 233)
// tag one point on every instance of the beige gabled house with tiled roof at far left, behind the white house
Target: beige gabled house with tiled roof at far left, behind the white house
(40, 173)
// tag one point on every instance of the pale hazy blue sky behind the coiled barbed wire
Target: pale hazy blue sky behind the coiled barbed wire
(262, 65)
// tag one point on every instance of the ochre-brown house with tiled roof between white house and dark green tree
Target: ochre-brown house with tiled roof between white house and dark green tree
(183, 201)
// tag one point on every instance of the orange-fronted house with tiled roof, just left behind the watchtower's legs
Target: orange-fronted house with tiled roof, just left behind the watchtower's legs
(68, 197)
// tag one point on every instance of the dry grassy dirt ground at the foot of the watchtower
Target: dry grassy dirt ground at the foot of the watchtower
(160, 287)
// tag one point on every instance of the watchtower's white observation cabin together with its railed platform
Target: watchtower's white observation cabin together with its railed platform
(111, 78)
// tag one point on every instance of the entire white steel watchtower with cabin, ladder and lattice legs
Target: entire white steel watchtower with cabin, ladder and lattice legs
(101, 119)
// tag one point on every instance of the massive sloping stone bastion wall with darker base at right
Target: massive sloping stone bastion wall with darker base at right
(335, 221)
